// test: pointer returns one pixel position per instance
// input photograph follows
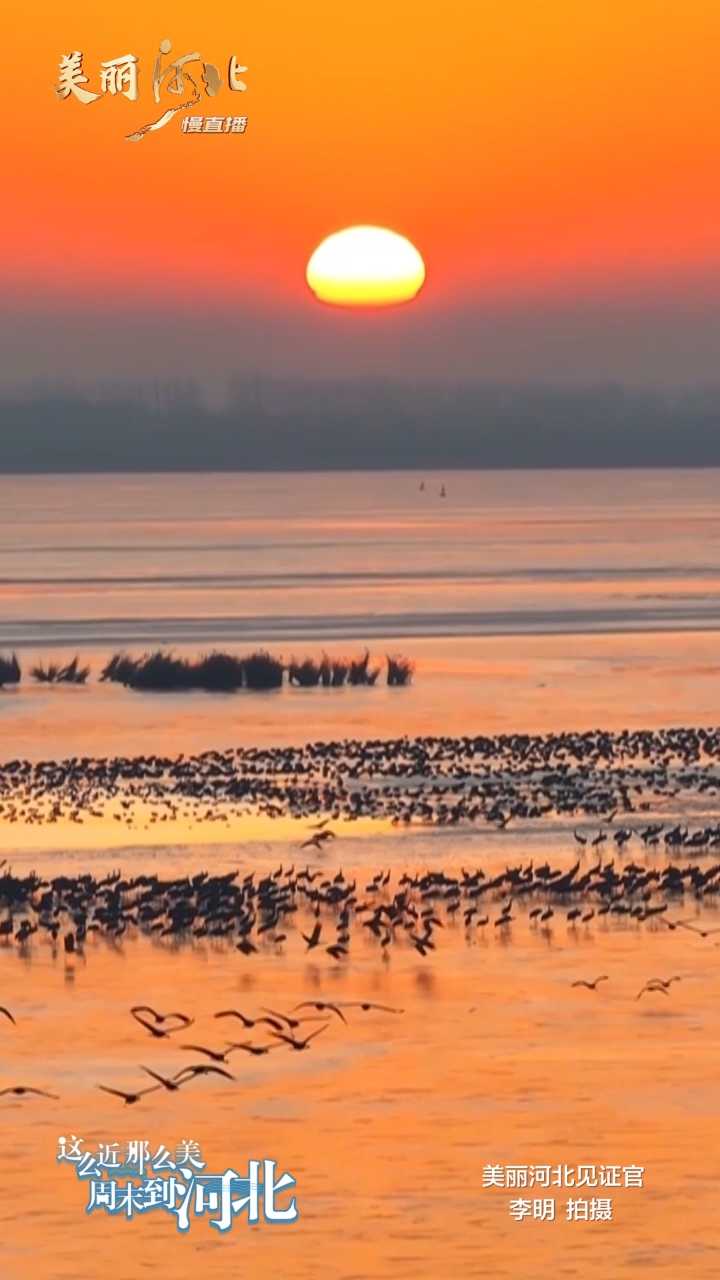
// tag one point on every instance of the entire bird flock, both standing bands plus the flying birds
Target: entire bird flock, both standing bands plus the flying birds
(636, 863)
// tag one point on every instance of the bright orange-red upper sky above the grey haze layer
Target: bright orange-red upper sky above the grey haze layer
(518, 145)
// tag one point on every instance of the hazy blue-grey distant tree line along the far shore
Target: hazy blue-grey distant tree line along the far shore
(350, 426)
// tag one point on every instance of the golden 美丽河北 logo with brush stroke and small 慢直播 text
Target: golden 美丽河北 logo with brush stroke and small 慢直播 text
(189, 77)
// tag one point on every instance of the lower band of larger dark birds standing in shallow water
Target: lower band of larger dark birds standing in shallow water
(330, 915)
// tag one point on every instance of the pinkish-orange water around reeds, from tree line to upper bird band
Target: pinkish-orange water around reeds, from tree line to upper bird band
(530, 601)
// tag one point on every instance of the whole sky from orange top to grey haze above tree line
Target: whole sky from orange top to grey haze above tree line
(555, 163)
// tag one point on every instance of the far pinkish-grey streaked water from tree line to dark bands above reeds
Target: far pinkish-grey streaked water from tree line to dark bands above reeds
(291, 559)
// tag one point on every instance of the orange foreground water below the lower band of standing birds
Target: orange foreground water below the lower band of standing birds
(389, 1122)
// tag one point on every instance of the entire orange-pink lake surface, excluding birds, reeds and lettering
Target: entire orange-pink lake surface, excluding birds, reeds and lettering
(530, 602)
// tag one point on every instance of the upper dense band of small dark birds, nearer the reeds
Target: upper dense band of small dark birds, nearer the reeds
(436, 781)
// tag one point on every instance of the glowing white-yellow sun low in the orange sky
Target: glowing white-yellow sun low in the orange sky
(366, 267)
